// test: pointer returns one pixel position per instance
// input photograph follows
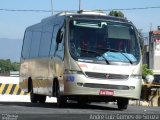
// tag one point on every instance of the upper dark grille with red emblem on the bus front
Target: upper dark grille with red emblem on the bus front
(106, 76)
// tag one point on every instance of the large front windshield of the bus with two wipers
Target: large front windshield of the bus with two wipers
(96, 40)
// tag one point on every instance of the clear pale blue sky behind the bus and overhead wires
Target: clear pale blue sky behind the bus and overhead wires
(13, 24)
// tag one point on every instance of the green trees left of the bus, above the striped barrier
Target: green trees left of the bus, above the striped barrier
(7, 66)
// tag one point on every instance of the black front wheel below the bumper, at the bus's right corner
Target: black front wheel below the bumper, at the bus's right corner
(122, 103)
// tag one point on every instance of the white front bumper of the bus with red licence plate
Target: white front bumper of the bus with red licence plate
(82, 86)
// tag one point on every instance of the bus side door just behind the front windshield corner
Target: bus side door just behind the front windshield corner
(56, 64)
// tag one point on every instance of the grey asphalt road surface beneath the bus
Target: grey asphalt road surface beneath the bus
(50, 111)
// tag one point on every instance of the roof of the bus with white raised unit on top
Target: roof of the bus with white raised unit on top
(79, 15)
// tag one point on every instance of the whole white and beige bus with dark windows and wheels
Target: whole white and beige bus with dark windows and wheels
(82, 57)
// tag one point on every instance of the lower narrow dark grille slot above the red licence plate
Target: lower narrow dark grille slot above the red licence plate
(106, 86)
